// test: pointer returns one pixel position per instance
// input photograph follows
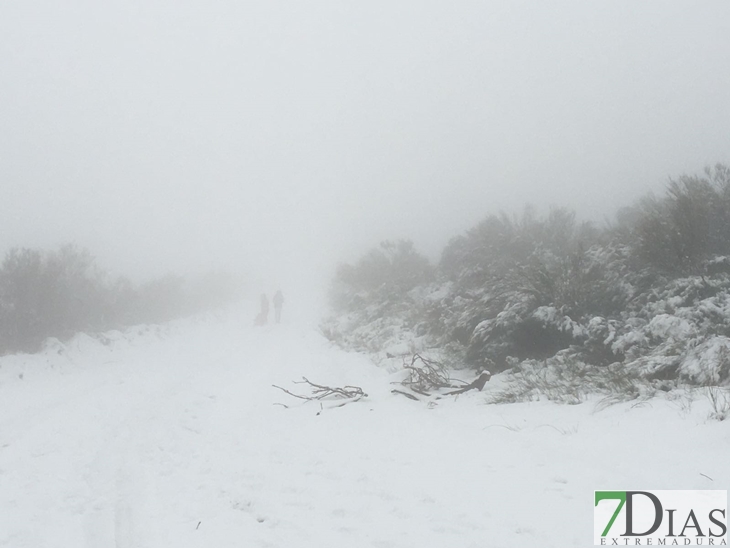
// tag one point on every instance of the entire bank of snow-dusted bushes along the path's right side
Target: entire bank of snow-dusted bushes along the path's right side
(649, 296)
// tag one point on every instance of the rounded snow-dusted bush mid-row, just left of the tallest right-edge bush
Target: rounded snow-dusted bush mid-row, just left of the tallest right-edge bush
(526, 285)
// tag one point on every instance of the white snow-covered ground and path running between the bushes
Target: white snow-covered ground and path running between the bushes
(170, 437)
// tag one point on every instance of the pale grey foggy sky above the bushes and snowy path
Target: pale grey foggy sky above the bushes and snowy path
(286, 135)
